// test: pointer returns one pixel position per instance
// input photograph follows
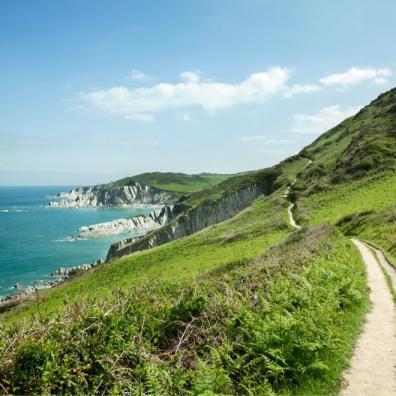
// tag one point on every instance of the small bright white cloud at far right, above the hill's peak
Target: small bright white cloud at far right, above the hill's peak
(356, 75)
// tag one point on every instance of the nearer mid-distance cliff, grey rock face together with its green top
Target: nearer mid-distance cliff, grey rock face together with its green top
(201, 209)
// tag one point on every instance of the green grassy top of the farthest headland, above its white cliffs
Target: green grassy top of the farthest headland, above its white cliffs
(180, 183)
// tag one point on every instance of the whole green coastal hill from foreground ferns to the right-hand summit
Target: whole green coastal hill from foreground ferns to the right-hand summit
(245, 306)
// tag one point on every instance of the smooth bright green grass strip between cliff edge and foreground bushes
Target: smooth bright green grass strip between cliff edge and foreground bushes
(245, 236)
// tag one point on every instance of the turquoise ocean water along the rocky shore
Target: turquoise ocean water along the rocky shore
(34, 238)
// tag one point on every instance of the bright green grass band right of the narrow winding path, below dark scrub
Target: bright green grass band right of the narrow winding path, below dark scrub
(330, 205)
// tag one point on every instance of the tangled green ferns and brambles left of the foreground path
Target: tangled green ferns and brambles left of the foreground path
(283, 322)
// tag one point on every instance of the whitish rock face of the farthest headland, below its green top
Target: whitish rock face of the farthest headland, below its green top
(94, 196)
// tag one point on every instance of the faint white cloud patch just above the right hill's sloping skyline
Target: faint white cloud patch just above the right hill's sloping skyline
(324, 119)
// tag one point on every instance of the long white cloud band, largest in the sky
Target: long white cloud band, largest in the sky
(192, 91)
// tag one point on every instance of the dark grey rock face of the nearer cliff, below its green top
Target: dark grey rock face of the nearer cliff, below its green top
(189, 222)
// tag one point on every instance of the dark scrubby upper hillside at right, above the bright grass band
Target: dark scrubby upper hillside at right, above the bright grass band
(359, 146)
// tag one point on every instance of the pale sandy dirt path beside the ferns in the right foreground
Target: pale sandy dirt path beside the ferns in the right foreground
(373, 363)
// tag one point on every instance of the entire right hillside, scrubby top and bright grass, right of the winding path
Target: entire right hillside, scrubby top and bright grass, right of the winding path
(352, 180)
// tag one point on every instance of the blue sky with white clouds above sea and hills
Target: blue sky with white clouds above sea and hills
(94, 90)
